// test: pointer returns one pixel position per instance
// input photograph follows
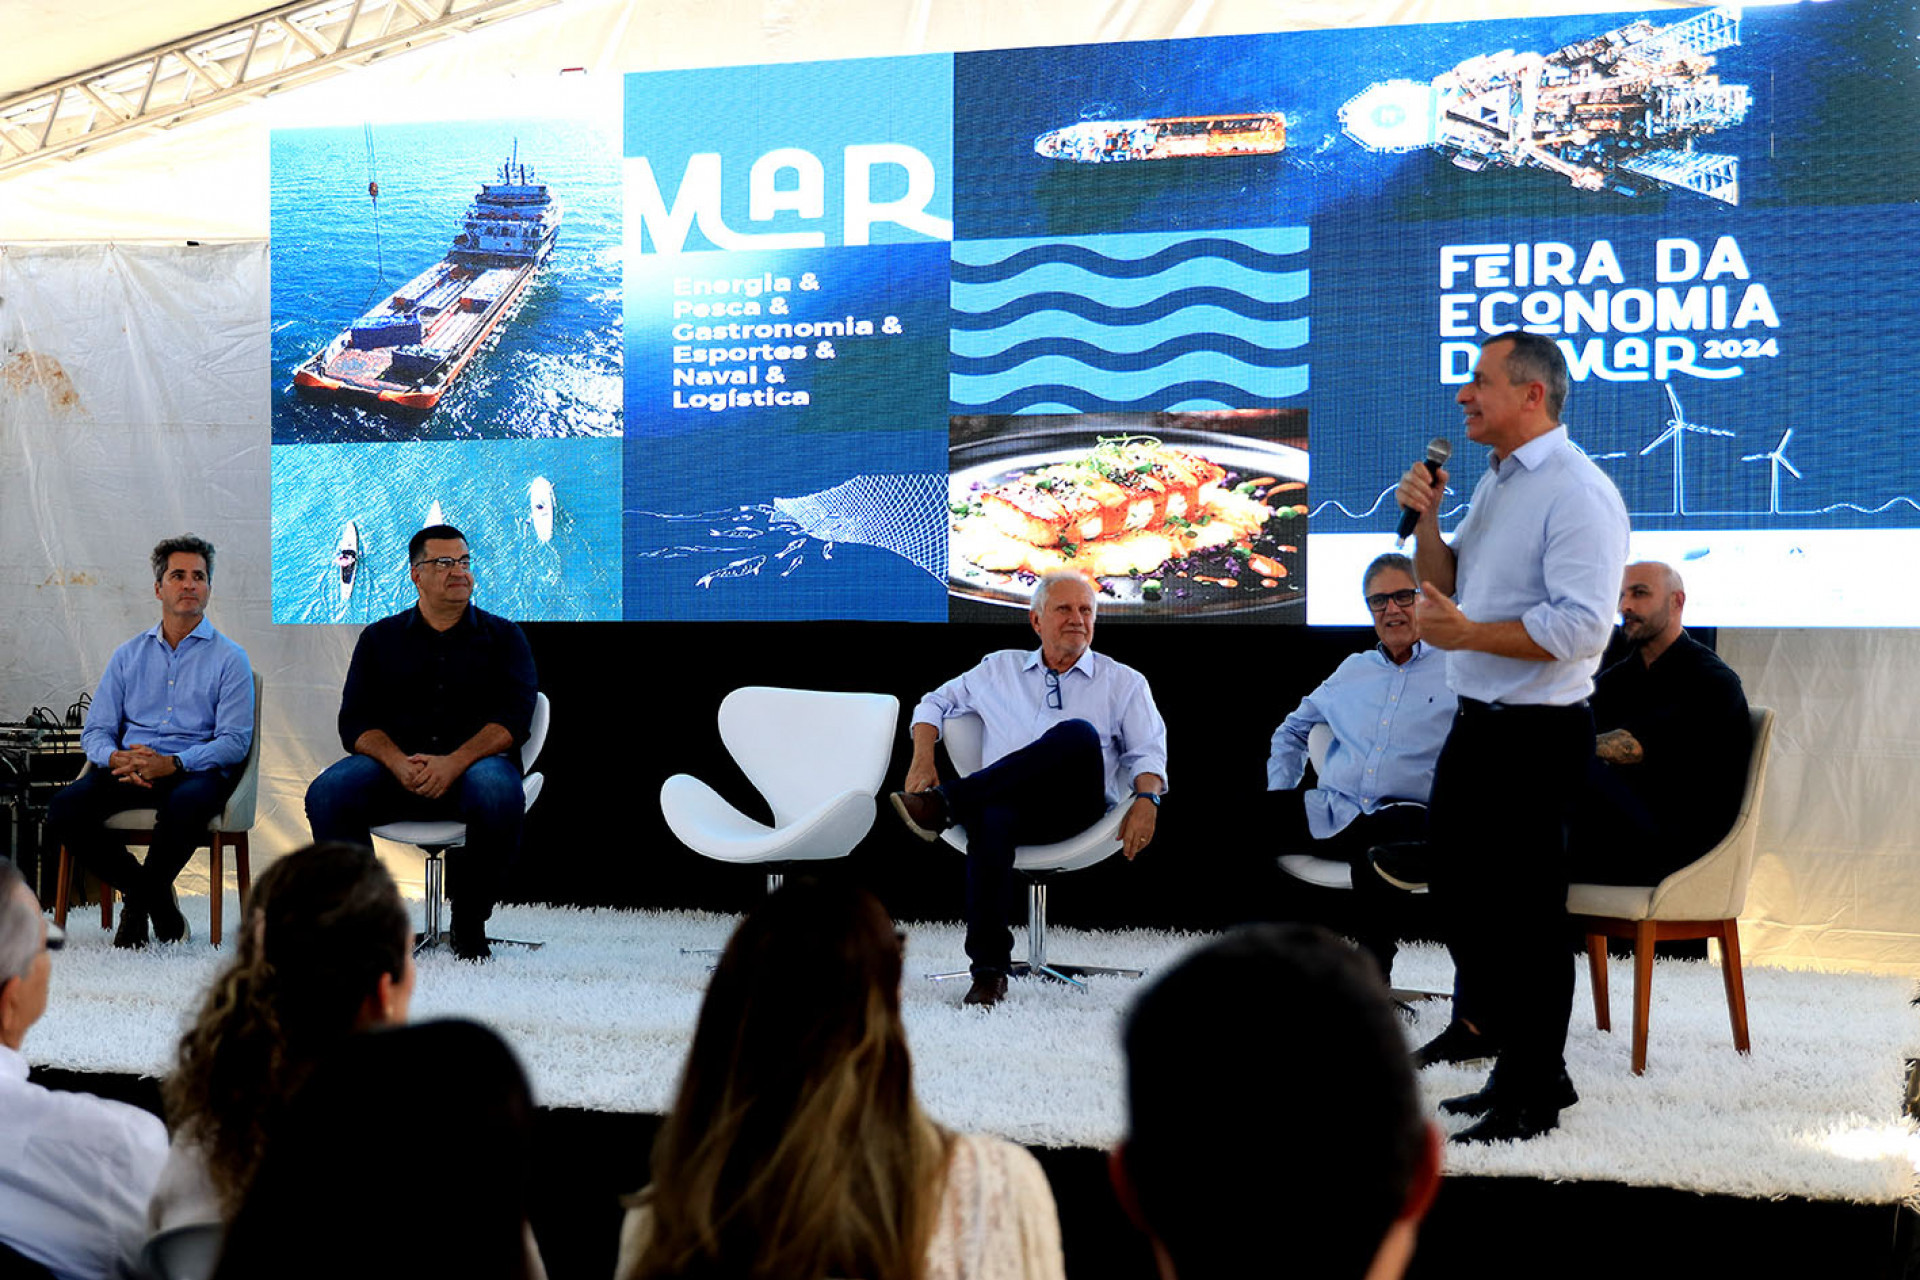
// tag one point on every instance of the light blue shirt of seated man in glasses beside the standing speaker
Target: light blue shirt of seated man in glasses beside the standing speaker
(1389, 724)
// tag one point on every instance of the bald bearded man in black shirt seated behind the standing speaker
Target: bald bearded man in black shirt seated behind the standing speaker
(1671, 757)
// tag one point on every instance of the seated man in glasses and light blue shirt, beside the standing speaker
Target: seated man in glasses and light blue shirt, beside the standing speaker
(1389, 711)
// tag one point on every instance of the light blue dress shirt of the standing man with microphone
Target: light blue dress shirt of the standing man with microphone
(1547, 544)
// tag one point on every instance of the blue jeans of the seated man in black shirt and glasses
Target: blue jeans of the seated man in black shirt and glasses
(360, 794)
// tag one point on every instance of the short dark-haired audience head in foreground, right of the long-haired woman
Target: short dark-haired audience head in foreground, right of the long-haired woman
(1272, 1106)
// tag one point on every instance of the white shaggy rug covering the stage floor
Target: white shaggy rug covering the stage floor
(604, 1012)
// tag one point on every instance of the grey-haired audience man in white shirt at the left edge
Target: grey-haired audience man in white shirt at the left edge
(76, 1172)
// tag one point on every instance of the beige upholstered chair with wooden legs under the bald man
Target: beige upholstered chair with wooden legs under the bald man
(1700, 901)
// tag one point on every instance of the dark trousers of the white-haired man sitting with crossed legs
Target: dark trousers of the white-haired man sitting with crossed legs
(1047, 792)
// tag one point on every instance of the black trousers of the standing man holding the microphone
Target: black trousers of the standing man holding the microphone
(1504, 790)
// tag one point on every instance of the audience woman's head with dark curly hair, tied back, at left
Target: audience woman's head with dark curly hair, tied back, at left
(325, 951)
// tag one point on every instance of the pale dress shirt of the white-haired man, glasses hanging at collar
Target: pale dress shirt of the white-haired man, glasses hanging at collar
(1009, 694)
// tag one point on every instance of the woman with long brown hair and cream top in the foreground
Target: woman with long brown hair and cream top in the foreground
(796, 1147)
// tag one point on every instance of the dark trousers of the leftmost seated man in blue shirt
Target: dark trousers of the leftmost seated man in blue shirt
(183, 805)
